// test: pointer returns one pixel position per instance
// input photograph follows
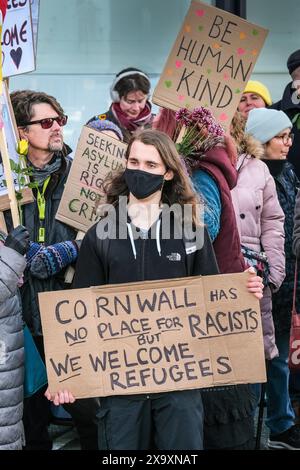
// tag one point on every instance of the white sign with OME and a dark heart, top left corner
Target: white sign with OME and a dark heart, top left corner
(17, 39)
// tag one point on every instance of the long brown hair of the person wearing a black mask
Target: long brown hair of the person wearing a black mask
(176, 191)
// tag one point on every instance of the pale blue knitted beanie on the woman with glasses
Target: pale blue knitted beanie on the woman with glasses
(263, 124)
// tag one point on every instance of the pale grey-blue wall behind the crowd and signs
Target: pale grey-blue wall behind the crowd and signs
(82, 44)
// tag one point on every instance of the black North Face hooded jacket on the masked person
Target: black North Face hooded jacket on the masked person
(118, 260)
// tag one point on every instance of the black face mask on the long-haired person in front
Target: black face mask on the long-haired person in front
(141, 183)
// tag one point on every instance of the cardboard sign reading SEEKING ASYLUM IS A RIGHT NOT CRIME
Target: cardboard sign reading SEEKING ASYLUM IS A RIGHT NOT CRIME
(97, 156)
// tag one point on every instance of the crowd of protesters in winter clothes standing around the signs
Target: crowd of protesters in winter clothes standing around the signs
(247, 183)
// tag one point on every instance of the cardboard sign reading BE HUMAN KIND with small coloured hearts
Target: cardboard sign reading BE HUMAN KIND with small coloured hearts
(210, 63)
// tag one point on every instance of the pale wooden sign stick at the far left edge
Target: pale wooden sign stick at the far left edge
(9, 178)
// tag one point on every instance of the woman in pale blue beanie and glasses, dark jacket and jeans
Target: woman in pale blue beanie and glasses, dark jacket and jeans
(273, 129)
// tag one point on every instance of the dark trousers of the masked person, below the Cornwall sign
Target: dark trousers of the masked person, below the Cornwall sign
(165, 421)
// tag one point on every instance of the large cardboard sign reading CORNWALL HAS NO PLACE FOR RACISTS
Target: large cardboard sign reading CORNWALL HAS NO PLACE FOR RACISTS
(153, 336)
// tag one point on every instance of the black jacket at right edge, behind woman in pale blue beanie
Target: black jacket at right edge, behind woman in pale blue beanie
(291, 110)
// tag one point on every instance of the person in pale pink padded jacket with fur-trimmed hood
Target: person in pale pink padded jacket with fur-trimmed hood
(260, 220)
